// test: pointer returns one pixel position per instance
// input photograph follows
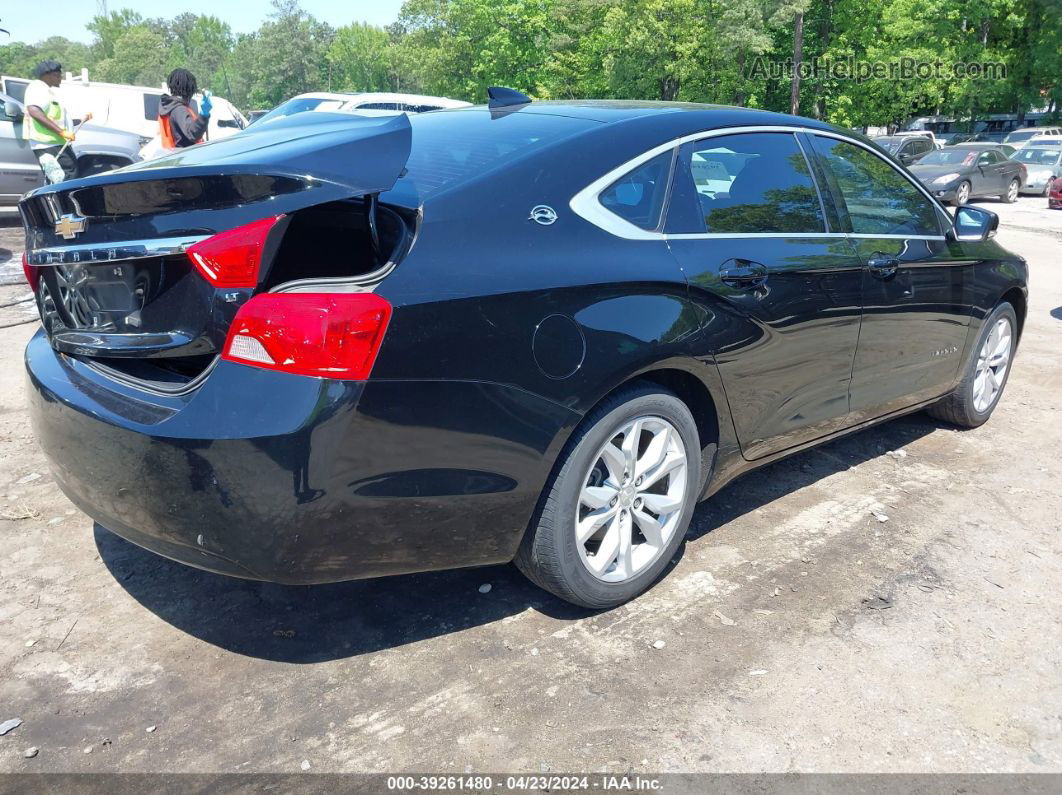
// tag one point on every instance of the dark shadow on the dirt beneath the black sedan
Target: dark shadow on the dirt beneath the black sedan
(307, 625)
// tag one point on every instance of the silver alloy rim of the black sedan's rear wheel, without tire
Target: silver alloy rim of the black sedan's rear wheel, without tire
(632, 499)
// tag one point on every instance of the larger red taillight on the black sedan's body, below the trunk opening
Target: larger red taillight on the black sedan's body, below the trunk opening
(328, 335)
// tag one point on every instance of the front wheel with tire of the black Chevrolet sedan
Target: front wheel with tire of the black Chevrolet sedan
(972, 403)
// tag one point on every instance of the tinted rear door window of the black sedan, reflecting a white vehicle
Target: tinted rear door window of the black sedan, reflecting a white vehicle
(750, 183)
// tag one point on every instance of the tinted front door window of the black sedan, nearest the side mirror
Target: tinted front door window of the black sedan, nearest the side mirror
(879, 200)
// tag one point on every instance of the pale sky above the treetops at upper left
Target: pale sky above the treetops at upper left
(33, 22)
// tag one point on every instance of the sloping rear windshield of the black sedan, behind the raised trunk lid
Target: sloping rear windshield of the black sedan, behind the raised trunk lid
(452, 148)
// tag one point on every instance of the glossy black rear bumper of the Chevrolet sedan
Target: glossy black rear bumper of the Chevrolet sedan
(267, 476)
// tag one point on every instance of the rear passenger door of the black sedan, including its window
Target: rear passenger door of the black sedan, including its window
(782, 292)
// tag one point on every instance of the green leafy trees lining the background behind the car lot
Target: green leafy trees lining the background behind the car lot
(691, 50)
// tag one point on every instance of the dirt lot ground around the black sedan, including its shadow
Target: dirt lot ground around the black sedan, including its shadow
(801, 633)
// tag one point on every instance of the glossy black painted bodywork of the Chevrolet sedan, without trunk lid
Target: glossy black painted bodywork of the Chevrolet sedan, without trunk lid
(439, 460)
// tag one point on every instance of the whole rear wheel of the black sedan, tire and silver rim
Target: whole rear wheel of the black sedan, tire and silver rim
(620, 504)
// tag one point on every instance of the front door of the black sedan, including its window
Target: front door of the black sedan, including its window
(916, 285)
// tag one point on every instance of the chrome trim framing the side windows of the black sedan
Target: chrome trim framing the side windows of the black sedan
(586, 203)
